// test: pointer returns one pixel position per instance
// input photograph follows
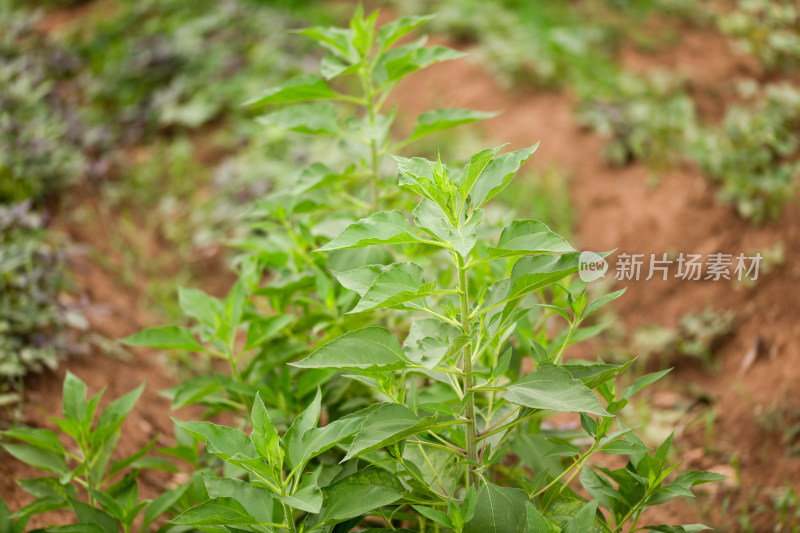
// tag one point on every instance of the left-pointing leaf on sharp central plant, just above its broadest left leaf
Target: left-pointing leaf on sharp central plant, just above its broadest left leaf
(393, 286)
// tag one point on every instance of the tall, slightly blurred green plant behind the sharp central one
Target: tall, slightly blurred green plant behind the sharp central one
(301, 304)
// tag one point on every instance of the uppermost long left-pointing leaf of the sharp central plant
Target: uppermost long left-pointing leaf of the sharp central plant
(386, 227)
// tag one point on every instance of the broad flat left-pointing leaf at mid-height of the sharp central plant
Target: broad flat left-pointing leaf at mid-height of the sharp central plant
(371, 349)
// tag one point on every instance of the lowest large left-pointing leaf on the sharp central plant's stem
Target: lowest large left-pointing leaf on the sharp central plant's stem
(386, 425)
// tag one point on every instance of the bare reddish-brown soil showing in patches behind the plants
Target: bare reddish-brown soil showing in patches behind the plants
(616, 208)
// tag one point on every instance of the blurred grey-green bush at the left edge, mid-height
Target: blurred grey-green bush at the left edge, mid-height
(33, 322)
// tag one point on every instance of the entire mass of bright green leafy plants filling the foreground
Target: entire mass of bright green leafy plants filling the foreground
(450, 429)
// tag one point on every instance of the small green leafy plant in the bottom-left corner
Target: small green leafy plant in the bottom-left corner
(101, 492)
